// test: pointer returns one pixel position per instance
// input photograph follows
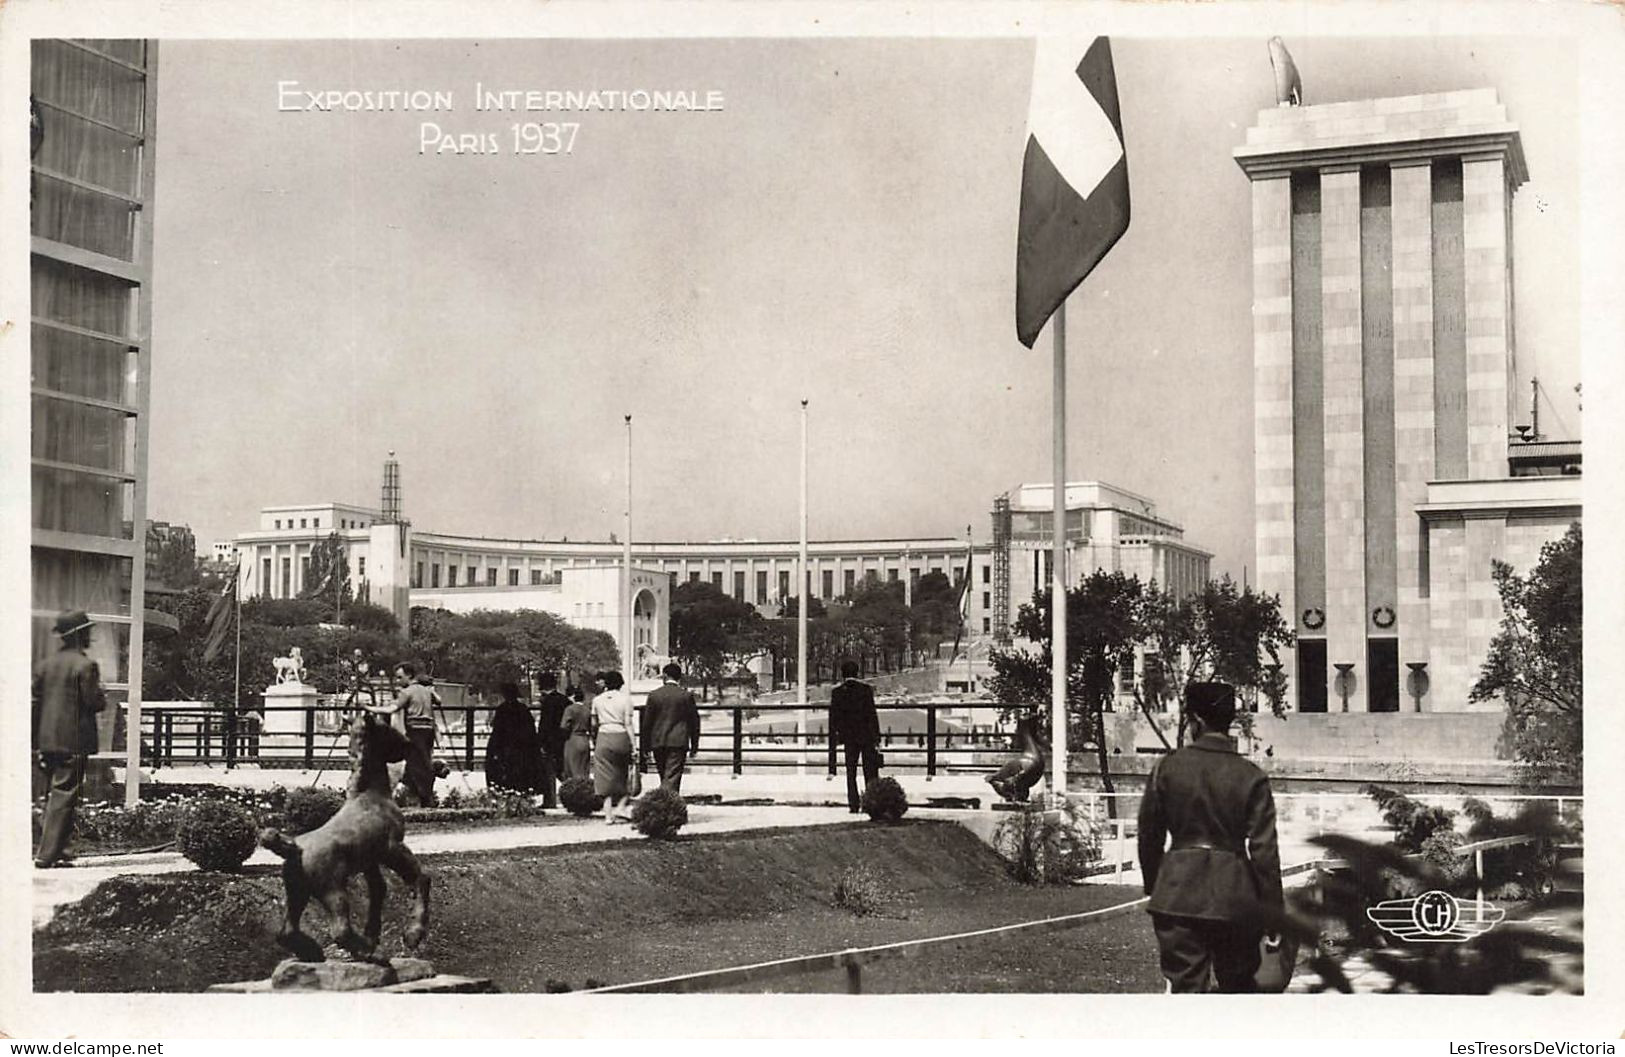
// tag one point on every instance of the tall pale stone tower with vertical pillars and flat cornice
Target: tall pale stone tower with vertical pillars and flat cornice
(1384, 352)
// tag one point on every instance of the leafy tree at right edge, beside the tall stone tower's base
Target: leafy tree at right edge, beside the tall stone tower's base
(1536, 661)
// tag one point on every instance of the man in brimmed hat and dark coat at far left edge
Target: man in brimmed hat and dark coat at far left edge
(67, 698)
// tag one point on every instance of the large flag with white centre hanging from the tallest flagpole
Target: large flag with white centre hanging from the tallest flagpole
(1073, 180)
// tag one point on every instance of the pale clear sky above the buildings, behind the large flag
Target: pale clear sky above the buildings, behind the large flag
(841, 232)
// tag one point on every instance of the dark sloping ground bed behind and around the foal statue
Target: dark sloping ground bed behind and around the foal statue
(617, 911)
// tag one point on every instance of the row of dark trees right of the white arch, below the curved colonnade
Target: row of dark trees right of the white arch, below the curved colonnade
(714, 633)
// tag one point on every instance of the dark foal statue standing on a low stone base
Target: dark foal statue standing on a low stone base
(366, 835)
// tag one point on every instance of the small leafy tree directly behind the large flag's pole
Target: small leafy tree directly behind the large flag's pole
(1104, 622)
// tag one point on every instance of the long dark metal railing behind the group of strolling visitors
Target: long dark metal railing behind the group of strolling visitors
(756, 736)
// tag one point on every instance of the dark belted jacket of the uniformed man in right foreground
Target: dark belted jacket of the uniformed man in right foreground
(1221, 814)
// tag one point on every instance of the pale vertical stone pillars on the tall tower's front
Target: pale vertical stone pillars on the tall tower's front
(1351, 609)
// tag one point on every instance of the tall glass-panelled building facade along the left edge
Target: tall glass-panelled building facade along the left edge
(92, 189)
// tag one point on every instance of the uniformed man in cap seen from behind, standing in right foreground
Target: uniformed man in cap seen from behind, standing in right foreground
(1220, 881)
